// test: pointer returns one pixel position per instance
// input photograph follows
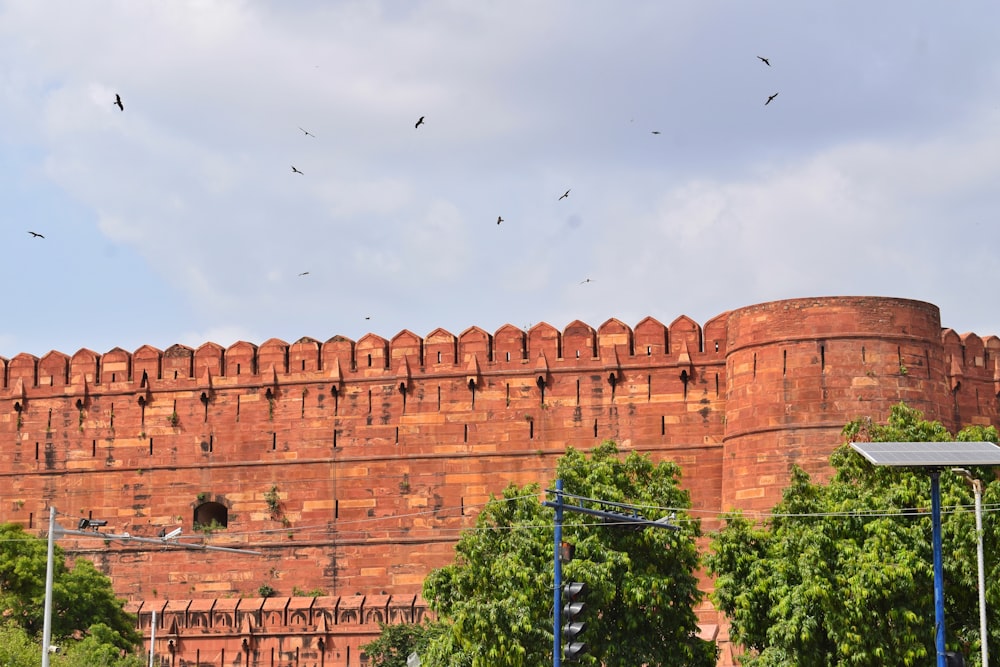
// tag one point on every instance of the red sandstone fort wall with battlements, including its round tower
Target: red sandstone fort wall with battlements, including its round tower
(378, 452)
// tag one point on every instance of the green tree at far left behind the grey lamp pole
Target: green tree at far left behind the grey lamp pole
(81, 595)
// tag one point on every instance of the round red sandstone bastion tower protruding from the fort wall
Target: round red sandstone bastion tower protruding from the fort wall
(797, 370)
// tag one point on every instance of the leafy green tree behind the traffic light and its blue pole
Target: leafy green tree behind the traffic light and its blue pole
(495, 600)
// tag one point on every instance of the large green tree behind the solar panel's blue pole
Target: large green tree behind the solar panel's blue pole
(842, 572)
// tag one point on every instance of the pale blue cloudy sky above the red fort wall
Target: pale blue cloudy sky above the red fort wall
(875, 170)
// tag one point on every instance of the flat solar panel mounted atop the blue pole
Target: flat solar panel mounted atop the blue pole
(929, 454)
